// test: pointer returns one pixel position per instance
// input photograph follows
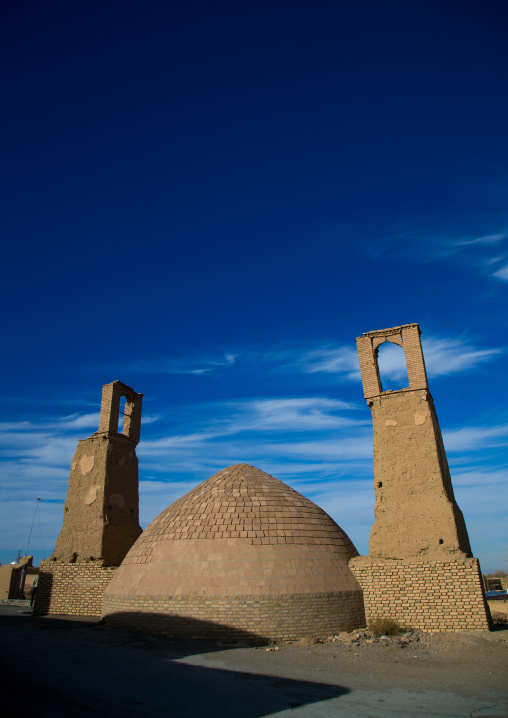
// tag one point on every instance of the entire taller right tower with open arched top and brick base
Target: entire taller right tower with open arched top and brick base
(419, 552)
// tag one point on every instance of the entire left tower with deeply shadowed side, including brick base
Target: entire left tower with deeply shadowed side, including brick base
(101, 512)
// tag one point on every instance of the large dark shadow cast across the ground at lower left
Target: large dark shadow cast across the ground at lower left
(82, 668)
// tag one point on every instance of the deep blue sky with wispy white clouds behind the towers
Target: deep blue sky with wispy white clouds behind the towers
(210, 201)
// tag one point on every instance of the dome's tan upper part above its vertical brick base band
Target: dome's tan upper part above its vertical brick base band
(240, 532)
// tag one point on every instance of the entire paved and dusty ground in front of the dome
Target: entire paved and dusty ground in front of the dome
(73, 667)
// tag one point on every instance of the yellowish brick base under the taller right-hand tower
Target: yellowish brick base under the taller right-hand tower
(430, 595)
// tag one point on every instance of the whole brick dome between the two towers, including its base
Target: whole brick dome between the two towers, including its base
(241, 555)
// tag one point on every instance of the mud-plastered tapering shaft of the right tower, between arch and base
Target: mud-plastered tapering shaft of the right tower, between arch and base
(415, 509)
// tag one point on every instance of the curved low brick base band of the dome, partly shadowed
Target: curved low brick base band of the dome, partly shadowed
(252, 618)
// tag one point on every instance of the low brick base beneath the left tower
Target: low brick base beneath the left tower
(73, 589)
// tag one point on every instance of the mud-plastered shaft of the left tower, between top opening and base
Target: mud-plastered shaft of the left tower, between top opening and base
(101, 515)
